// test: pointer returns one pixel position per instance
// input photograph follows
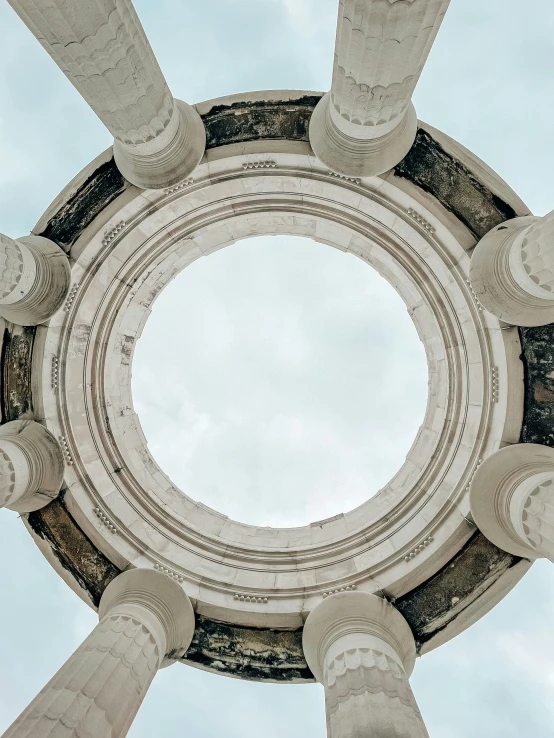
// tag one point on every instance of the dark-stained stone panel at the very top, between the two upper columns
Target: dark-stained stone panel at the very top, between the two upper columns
(251, 121)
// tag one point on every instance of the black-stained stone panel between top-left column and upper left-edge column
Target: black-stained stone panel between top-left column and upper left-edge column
(103, 186)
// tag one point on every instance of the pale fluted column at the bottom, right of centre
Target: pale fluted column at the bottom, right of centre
(362, 650)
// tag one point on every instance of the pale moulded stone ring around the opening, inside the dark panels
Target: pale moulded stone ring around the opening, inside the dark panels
(253, 575)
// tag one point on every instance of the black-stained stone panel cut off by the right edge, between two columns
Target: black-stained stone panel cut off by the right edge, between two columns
(538, 360)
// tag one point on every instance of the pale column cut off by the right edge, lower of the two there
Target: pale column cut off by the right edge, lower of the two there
(512, 500)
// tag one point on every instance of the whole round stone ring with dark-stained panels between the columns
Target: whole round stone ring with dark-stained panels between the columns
(414, 542)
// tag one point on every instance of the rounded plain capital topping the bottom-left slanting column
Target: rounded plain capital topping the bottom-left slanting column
(163, 599)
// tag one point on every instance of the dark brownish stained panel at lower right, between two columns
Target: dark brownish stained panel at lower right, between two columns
(438, 601)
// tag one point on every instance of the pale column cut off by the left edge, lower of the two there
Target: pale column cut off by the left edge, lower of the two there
(31, 466)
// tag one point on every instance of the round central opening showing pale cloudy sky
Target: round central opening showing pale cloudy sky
(280, 381)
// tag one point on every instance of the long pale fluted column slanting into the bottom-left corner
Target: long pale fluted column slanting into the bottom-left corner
(144, 617)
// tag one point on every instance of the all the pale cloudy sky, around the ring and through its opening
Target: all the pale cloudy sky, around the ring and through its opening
(310, 400)
